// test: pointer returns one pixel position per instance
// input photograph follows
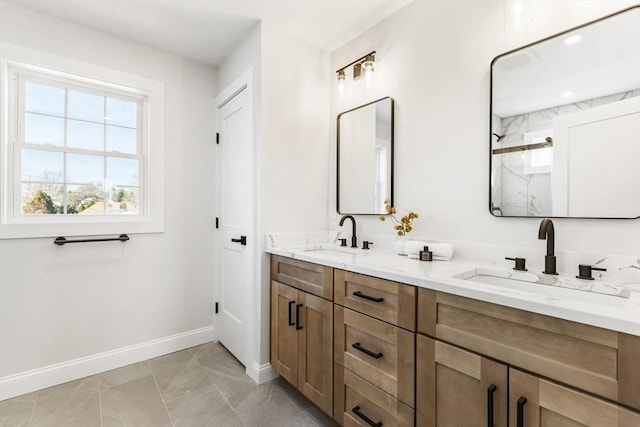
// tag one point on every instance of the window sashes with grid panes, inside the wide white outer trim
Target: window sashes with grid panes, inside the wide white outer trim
(79, 148)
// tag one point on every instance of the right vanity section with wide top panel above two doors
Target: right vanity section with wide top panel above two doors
(554, 366)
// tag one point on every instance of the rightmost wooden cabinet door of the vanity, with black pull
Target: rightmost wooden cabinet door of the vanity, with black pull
(536, 402)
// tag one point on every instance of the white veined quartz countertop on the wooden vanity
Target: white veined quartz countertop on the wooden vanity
(596, 309)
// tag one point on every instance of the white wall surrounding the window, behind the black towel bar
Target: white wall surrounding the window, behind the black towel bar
(58, 304)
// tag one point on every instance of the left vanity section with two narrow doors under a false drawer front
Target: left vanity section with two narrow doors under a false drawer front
(302, 328)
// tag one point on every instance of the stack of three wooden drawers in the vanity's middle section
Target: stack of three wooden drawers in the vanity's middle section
(374, 351)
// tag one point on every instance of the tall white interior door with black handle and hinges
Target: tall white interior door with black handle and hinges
(237, 240)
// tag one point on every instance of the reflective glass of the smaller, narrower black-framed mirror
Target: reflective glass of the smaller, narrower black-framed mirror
(365, 158)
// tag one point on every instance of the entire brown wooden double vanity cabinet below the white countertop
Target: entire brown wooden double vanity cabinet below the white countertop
(348, 342)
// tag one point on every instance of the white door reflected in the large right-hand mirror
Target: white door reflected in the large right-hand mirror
(596, 161)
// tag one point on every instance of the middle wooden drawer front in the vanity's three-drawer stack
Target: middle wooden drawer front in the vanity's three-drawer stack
(380, 353)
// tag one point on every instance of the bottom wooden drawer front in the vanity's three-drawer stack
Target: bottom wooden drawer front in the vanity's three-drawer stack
(359, 403)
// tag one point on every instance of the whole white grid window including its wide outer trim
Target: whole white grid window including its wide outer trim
(81, 148)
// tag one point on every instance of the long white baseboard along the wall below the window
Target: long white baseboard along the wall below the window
(26, 382)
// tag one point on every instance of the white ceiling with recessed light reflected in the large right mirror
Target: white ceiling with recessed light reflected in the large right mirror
(605, 61)
